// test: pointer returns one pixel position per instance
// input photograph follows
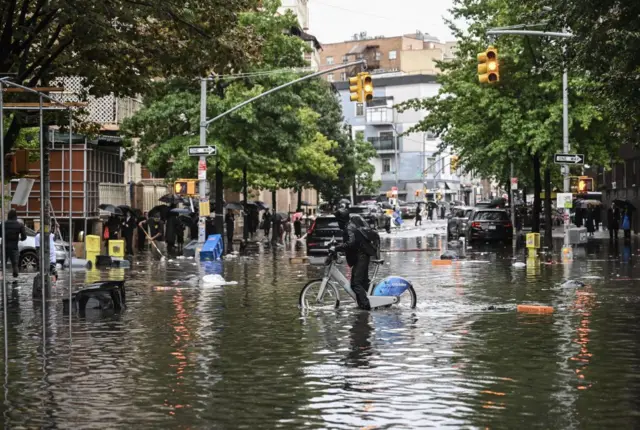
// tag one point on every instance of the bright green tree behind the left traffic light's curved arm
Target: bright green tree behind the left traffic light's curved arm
(283, 140)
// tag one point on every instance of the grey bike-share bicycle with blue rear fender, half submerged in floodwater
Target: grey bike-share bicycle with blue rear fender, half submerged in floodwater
(324, 292)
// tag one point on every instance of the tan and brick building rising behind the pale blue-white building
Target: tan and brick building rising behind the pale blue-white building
(408, 54)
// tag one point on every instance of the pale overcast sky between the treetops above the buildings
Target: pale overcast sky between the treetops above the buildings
(337, 20)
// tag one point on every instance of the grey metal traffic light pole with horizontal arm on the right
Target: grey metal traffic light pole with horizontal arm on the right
(566, 249)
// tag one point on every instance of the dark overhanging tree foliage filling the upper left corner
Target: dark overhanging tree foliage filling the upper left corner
(119, 46)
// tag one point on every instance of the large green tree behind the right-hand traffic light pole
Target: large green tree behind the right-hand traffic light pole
(519, 119)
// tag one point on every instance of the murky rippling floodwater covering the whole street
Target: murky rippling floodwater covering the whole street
(244, 356)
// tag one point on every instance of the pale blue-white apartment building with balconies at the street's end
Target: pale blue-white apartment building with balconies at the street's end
(414, 162)
